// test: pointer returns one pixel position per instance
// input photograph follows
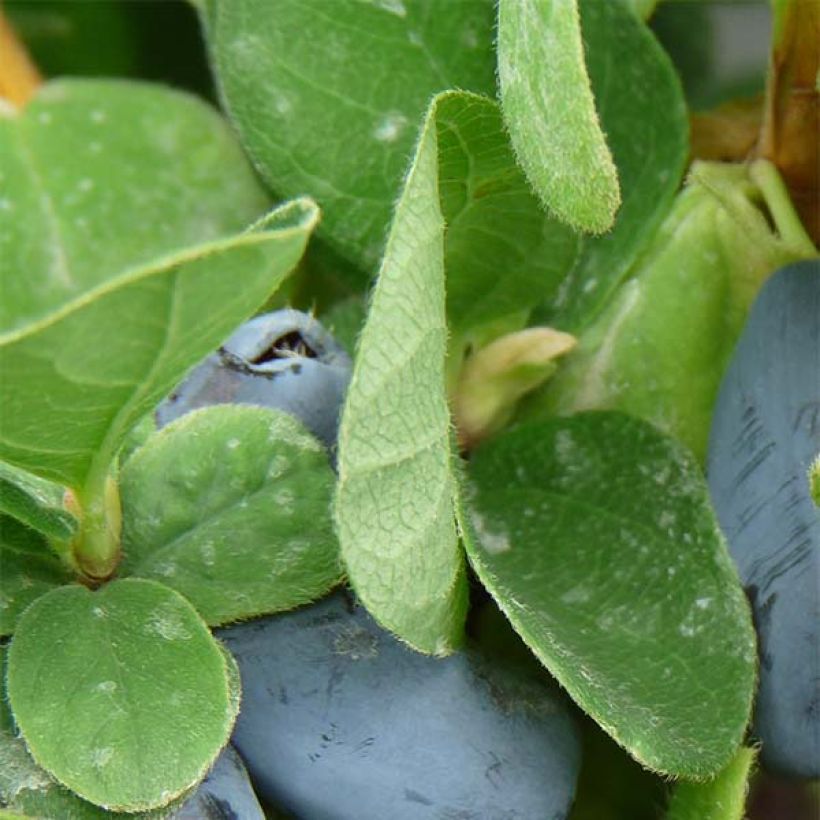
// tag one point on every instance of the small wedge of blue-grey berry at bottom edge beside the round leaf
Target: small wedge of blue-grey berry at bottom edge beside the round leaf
(225, 794)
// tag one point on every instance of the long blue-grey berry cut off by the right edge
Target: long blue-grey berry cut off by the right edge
(764, 438)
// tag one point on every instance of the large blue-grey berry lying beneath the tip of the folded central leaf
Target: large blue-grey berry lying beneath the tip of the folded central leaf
(340, 721)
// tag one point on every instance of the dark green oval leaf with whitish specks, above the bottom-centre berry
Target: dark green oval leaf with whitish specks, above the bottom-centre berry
(596, 537)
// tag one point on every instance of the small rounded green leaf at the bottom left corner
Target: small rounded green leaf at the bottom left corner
(131, 704)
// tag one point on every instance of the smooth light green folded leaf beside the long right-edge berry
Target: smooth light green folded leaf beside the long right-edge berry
(660, 347)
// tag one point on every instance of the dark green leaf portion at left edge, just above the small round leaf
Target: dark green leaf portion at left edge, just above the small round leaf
(28, 569)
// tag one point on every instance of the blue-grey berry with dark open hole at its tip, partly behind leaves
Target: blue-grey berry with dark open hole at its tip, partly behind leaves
(285, 360)
